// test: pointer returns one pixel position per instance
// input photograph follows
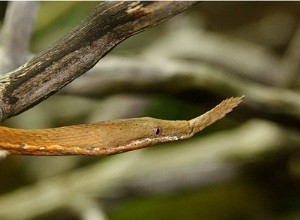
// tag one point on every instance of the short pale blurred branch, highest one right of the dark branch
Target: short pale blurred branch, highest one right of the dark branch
(237, 56)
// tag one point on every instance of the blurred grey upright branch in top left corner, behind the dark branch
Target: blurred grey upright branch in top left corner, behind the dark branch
(16, 34)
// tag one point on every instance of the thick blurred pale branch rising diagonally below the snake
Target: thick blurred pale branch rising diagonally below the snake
(152, 171)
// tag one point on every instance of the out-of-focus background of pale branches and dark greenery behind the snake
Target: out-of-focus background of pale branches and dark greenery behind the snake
(246, 166)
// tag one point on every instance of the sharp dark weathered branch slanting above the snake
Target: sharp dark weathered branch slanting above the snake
(109, 24)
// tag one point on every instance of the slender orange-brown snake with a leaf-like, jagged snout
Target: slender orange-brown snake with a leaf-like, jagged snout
(108, 137)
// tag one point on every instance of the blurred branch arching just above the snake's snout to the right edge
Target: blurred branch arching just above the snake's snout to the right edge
(116, 75)
